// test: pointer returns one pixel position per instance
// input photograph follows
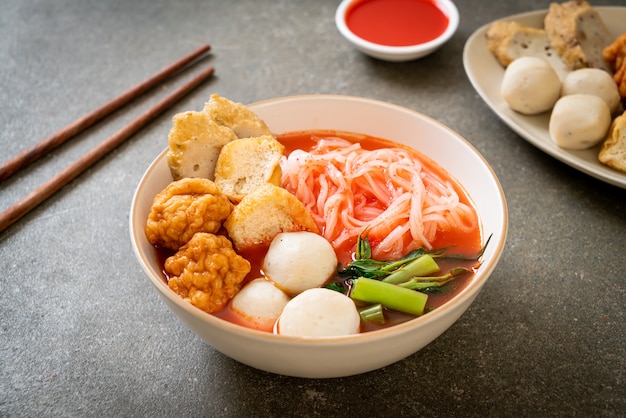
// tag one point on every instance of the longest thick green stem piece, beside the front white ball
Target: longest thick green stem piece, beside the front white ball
(390, 295)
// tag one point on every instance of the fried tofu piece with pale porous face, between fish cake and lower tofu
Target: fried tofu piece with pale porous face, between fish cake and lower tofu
(247, 163)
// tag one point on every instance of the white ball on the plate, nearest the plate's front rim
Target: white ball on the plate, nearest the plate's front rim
(579, 121)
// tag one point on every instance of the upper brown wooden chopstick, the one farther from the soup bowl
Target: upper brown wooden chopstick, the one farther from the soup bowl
(46, 145)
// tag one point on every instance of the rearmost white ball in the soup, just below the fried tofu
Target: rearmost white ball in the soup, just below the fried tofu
(296, 261)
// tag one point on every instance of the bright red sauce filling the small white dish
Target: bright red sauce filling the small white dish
(396, 22)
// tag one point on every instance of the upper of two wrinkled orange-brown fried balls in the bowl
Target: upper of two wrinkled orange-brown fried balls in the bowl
(184, 207)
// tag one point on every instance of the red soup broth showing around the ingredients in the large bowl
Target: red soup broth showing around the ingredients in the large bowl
(468, 244)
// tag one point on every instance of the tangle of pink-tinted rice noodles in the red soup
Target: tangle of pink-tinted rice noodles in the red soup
(388, 191)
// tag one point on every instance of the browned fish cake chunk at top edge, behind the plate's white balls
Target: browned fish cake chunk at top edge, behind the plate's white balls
(578, 34)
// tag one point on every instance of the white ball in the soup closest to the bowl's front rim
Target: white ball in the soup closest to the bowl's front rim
(319, 312)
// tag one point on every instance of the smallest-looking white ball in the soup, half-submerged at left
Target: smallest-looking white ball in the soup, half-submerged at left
(260, 303)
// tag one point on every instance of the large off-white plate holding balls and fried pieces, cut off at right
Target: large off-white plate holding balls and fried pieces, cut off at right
(485, 74)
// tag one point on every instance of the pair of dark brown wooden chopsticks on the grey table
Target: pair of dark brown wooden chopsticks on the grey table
(37, 196)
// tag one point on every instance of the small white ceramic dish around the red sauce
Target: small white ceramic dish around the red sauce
(398, 53)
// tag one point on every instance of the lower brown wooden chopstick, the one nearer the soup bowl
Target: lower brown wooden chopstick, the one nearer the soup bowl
(30, 201)
